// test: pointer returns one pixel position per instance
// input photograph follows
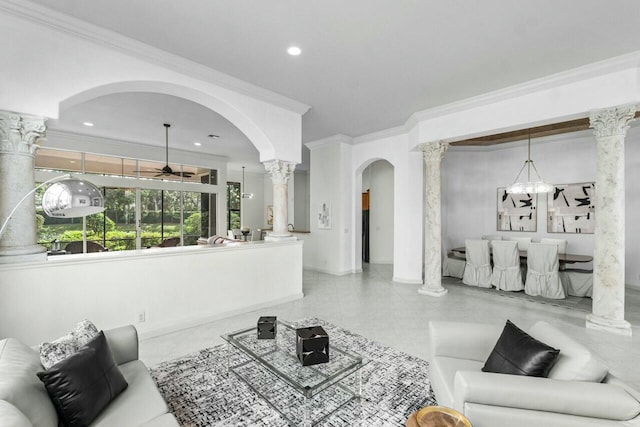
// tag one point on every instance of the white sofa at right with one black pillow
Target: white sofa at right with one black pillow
(570, 397)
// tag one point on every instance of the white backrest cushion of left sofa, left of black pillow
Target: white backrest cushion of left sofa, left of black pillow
(19, 384)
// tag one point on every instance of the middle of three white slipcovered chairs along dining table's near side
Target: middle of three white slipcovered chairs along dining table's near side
(506, 274)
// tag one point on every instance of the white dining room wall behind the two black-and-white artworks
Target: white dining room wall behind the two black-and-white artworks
(471, 178)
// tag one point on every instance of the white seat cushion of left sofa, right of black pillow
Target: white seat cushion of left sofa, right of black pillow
(138, 404)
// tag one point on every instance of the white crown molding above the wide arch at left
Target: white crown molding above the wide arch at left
(83, 30)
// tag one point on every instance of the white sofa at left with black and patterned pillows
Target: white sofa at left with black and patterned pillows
(24, 401)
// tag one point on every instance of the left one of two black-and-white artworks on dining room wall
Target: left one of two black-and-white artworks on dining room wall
(516, 212)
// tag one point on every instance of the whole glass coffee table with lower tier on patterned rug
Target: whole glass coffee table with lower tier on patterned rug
(303, 395)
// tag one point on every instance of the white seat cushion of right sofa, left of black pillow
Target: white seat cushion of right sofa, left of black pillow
(442, 371)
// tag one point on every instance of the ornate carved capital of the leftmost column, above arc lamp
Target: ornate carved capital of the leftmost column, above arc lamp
(21, 133)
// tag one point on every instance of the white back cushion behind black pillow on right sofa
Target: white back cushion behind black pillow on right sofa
(575, 362)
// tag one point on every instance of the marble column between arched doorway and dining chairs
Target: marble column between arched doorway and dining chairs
(433, 154)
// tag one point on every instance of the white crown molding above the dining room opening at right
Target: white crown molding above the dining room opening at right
(596, 69)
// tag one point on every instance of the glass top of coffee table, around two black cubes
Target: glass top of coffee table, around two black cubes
(279, 356)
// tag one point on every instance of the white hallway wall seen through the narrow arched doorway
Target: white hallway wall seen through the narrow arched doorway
(378, 178)
